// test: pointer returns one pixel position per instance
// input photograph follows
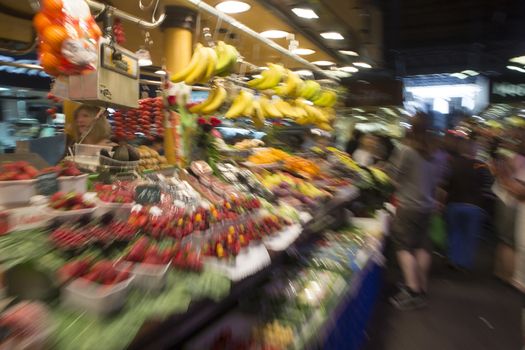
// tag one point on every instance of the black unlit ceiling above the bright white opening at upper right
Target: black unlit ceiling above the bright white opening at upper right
(437, 36)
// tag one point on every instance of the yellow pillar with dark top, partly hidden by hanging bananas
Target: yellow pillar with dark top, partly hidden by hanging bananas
(178, 40)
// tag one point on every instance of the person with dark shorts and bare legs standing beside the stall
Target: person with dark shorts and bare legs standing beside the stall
(416, 171)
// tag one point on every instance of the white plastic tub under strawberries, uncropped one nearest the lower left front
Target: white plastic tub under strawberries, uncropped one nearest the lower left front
(95, 298)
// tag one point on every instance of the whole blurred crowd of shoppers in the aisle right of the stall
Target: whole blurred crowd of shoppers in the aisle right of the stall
(472, 178)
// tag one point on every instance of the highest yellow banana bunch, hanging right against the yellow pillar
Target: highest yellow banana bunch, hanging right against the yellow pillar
(207, 62)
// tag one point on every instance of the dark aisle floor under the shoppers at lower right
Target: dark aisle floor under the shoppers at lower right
(466, 311)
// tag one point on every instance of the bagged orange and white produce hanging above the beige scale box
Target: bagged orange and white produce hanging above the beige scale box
(68, 37)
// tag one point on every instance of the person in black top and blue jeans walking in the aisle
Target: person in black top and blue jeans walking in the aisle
(466, 182)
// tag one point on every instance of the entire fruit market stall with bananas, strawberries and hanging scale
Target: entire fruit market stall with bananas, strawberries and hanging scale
(170, 231)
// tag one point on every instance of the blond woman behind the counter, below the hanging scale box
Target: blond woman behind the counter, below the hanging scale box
(90, 127)
